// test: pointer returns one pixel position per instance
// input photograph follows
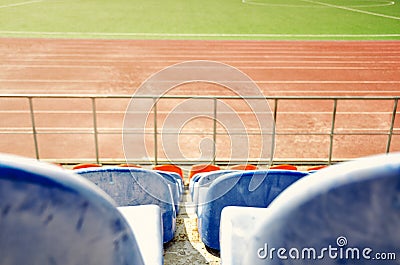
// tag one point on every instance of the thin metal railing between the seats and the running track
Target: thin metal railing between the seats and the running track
(386, 116)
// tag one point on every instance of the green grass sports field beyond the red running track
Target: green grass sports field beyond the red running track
(202, 19)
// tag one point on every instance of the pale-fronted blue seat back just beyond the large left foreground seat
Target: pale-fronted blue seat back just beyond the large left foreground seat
(136, 186)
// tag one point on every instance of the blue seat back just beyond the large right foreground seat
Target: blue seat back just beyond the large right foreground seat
(243, 188)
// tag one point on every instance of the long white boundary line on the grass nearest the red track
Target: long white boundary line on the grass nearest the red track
(227, 35)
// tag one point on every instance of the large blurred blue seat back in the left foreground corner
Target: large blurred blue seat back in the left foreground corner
(51, 216)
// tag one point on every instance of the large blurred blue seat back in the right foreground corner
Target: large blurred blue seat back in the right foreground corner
(344, 214)
